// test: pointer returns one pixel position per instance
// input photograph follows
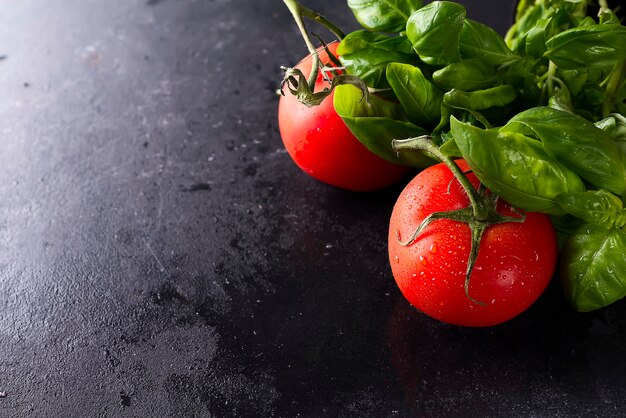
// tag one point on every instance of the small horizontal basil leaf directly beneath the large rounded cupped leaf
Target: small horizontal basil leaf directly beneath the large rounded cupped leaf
(466, 75)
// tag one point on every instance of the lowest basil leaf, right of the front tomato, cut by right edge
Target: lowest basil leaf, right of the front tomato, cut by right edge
(592, 267)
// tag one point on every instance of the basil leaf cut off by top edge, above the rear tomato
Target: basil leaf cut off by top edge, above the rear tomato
(383, 15)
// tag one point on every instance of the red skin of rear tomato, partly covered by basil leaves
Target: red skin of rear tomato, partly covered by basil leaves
(321, 144)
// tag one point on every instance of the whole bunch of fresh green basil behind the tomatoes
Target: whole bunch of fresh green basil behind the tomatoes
(538, 115)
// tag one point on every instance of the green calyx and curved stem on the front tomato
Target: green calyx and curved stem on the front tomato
(479, 215)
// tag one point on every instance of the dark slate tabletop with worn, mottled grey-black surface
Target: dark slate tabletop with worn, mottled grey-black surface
(160, 255)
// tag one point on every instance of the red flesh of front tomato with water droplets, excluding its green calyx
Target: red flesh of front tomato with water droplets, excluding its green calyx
(515, 262)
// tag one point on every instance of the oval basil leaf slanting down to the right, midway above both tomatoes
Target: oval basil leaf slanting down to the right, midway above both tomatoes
(420, 98)
